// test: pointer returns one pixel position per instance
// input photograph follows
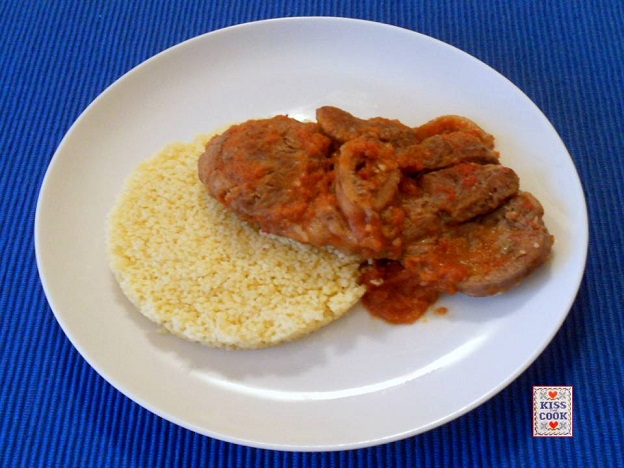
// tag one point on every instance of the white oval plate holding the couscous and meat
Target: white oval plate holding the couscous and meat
(358, 382)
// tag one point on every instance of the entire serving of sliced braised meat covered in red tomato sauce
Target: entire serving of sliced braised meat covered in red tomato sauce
(430, 207)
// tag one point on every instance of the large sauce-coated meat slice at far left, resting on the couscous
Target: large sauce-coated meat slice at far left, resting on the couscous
(270, 172)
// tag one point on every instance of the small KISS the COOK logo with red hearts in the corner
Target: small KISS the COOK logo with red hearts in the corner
(552, 412)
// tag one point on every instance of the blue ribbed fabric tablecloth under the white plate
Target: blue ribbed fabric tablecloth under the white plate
(56, 57)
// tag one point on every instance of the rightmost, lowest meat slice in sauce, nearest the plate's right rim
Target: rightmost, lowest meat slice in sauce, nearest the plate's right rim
(486, 256)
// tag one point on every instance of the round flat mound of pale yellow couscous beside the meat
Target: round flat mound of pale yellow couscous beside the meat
(192, 266)
